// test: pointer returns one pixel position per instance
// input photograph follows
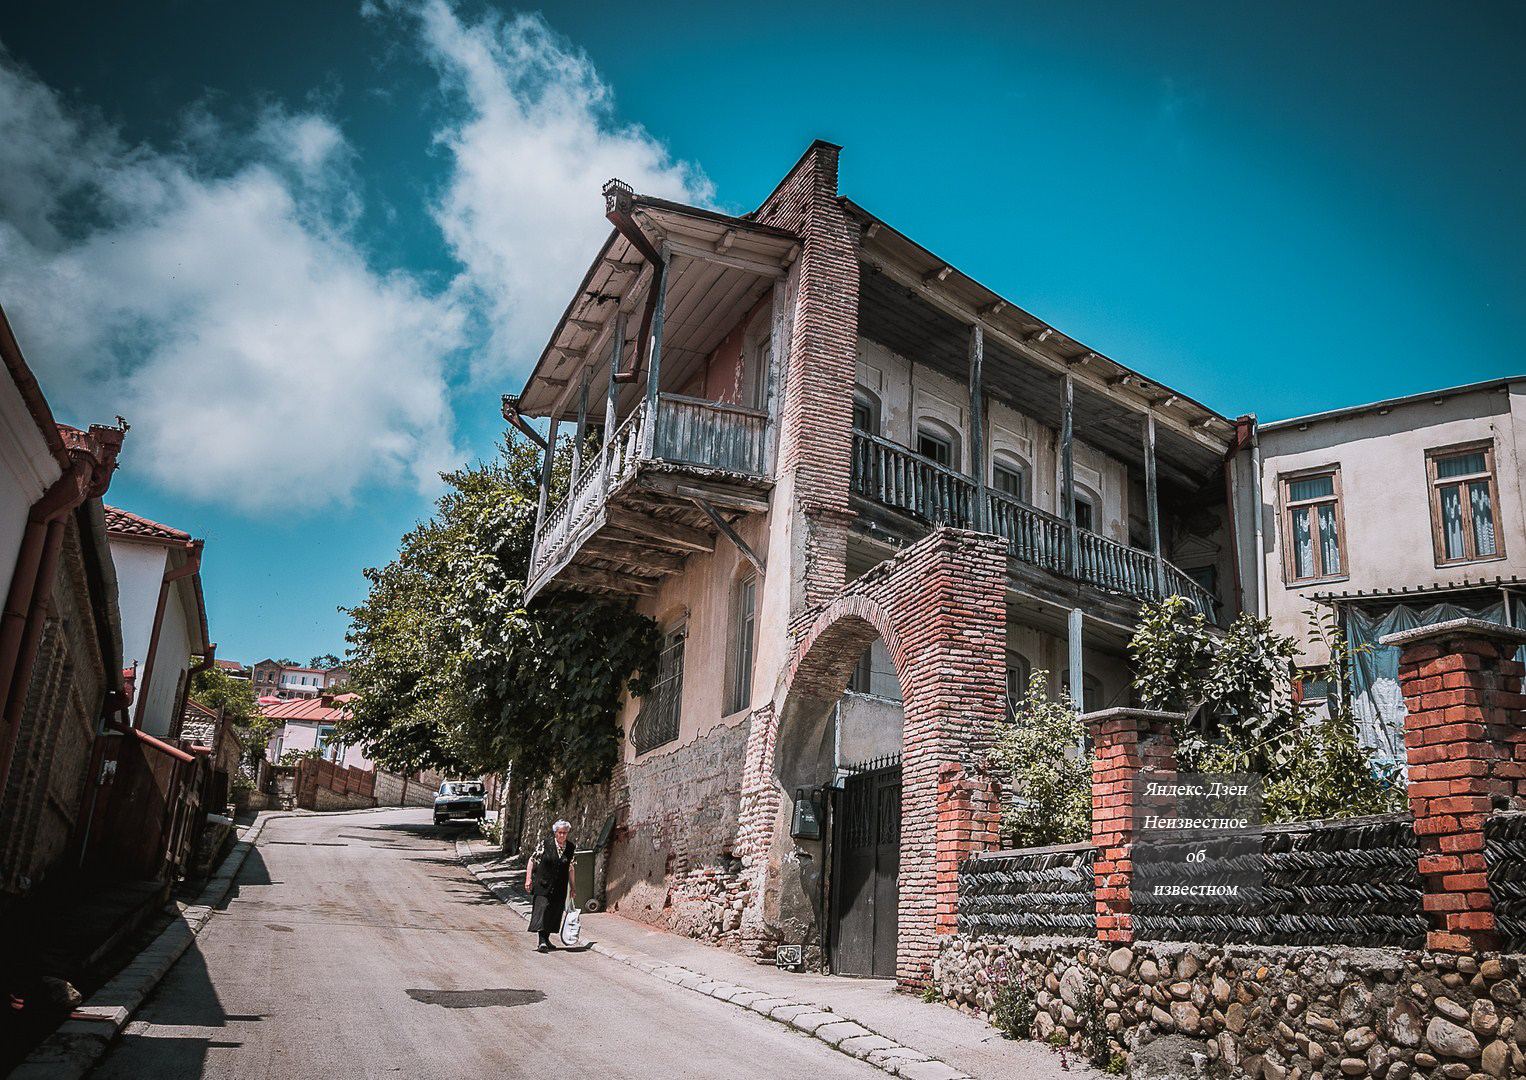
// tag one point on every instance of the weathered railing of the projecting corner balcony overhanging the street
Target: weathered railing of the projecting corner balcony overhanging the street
(689, 432)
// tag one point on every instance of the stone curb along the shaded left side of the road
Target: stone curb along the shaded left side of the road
(83, 1040)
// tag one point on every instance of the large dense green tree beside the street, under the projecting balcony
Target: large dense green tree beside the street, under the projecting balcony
(456, 672)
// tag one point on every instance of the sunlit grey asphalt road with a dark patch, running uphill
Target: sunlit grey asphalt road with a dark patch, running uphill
(358, 947)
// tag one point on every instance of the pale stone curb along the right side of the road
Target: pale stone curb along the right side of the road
(810, 1020)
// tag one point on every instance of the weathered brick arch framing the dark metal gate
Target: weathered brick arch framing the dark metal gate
(941, 609)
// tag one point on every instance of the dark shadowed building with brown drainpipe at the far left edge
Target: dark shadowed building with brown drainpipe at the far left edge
(60, 638)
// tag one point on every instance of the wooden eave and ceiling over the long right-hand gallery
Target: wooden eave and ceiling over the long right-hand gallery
(921, 307)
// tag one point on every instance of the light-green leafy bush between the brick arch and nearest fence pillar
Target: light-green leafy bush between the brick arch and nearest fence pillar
(1043, 754)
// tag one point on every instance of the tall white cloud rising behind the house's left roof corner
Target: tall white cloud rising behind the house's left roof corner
(530, 153)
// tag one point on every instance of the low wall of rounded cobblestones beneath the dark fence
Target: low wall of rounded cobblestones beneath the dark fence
(1269, 1014)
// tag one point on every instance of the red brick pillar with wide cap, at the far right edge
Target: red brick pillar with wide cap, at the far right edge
(1466, 744)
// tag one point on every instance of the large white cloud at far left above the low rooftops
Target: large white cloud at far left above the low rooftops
(230, 313)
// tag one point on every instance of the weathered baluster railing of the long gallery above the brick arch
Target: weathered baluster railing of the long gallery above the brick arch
(895, 477)
